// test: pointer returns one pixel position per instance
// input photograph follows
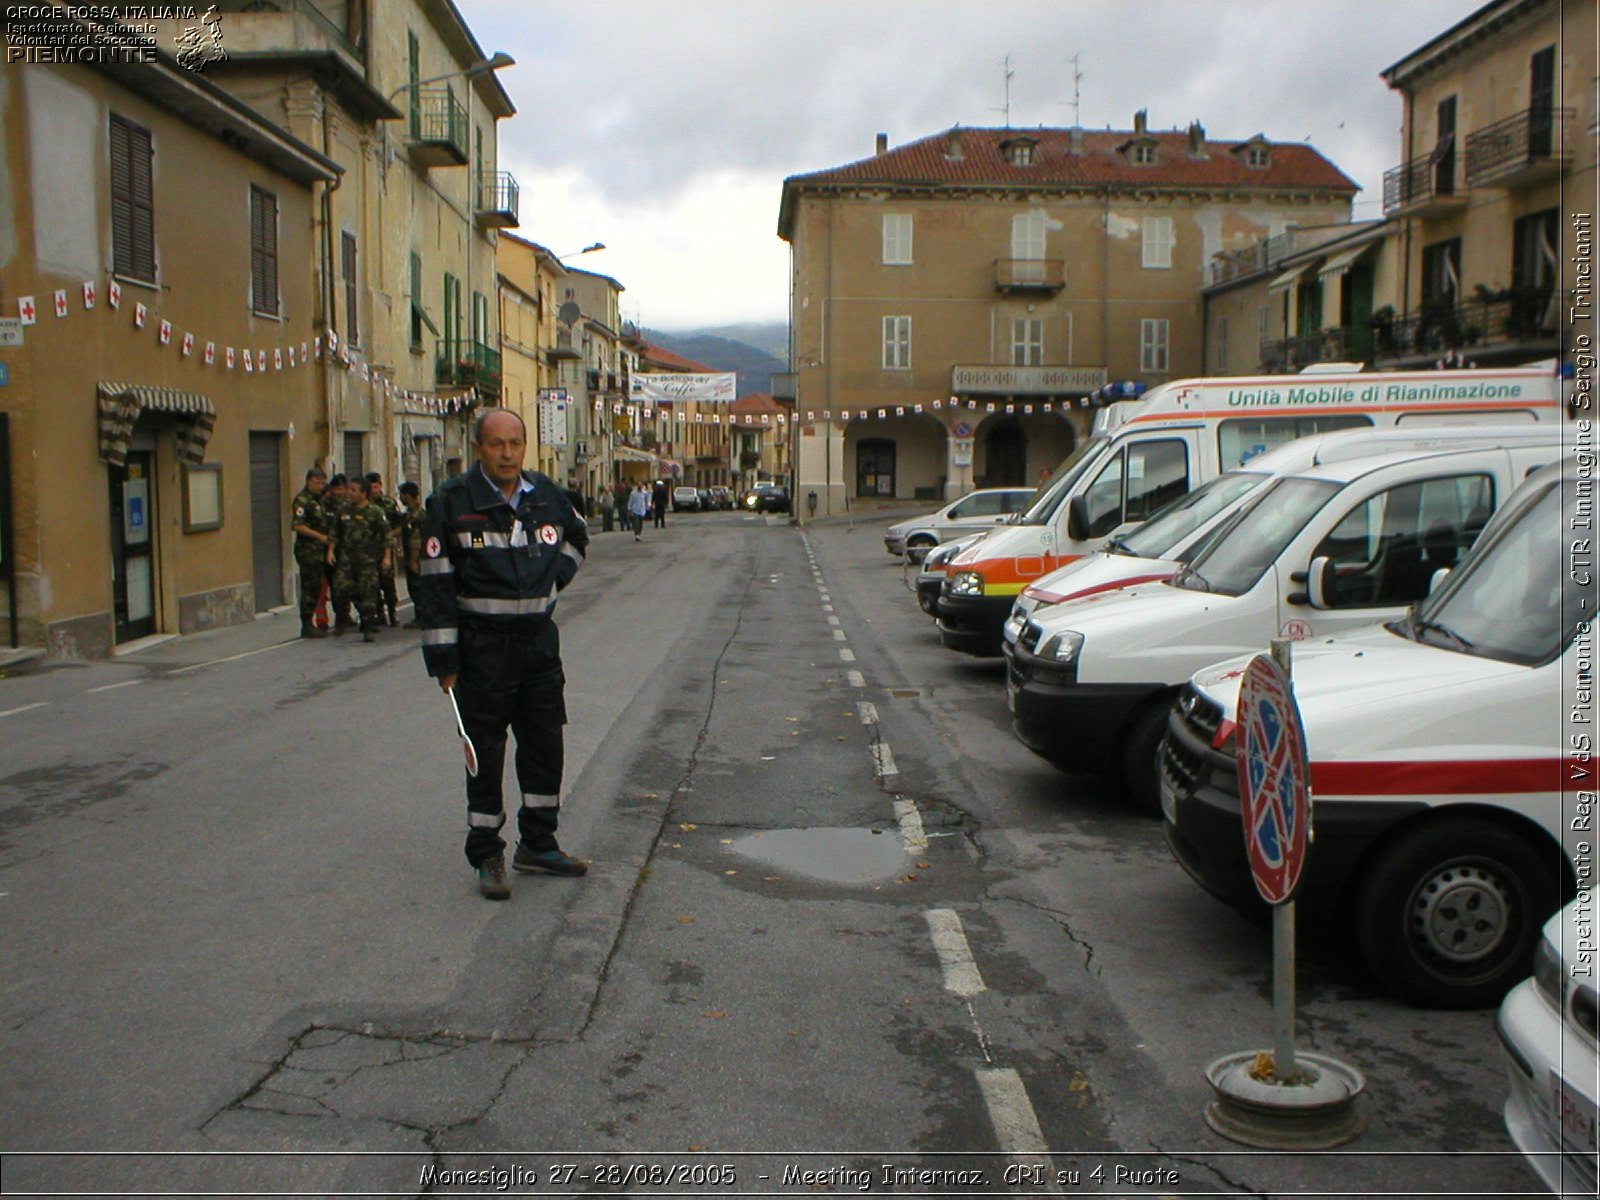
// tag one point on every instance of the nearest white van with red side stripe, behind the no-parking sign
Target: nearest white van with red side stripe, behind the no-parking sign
(1446, 770)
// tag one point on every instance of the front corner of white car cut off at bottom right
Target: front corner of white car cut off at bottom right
(1548, 1028)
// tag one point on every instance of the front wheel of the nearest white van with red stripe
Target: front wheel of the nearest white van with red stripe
(1450, 913)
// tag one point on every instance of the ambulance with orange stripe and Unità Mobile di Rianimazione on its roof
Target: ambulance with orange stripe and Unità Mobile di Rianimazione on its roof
(1150, 452)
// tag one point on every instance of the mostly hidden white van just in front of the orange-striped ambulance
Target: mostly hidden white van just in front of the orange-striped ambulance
(1158, 550)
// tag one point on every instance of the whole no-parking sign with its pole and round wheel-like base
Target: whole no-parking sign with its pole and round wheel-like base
(1279, 1100)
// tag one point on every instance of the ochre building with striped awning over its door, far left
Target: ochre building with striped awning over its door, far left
(161, 399)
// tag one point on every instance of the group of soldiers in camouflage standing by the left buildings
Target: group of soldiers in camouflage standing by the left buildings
(351, 537)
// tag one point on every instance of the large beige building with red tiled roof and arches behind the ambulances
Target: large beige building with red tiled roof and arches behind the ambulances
(964, 295)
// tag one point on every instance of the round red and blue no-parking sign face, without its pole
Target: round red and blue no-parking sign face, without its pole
(1274, 780)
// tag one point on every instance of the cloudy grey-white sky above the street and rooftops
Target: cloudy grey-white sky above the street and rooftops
(666, 130)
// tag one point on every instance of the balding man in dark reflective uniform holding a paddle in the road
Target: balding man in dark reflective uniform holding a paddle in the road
(498, 545)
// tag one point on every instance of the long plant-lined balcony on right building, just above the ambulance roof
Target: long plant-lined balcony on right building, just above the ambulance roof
(1513, 324)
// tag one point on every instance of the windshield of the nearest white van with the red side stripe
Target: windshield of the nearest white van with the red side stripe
(1514, 599)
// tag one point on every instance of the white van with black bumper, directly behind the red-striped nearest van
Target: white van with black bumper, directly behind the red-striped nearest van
(1318, 553)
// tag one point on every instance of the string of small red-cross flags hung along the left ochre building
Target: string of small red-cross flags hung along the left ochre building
(236, 358)
